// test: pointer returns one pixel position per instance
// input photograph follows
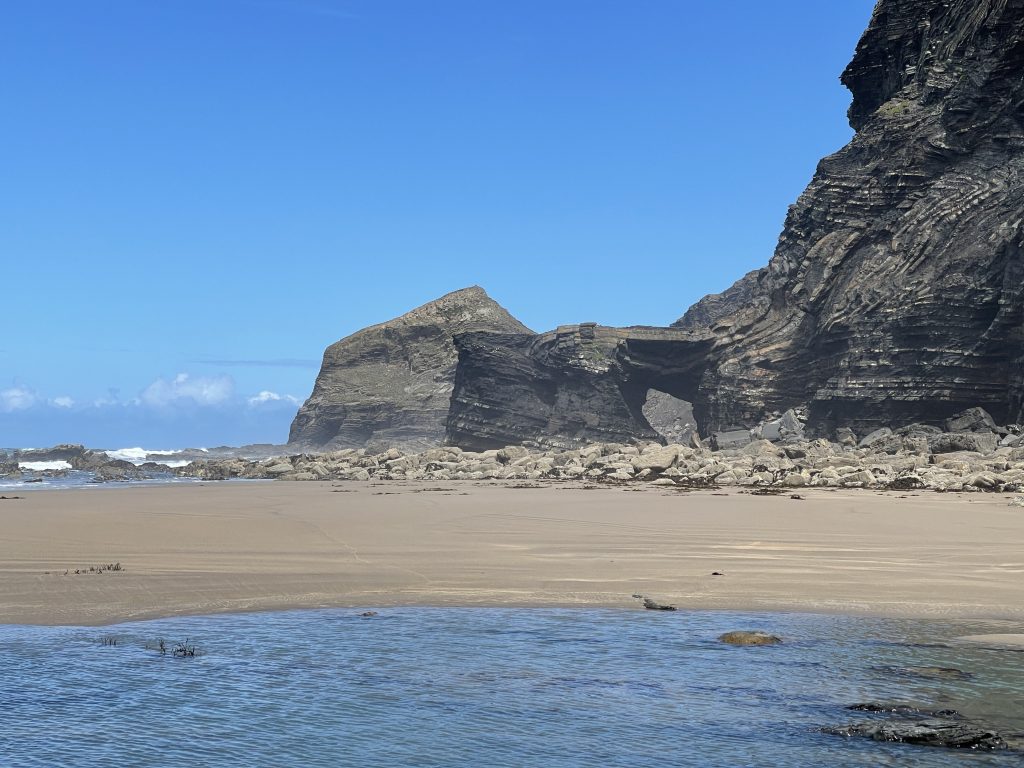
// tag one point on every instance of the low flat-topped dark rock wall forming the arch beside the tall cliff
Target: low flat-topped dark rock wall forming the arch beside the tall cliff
(569, 388)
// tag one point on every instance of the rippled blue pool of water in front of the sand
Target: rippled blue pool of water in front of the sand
(487, 688)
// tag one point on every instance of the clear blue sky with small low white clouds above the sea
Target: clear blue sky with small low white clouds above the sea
(200, 196)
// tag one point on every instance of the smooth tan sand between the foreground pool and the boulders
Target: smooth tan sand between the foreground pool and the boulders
(222, 547)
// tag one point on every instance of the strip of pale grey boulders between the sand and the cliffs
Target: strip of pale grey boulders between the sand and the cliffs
(917, 457)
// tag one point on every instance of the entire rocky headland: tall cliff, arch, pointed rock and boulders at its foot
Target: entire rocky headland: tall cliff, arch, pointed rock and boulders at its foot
(881, 347)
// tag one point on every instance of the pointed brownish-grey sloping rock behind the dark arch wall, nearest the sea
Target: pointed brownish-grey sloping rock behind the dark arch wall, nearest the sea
(390, 386)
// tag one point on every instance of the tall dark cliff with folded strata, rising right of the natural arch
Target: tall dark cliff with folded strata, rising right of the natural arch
(895, 292)
